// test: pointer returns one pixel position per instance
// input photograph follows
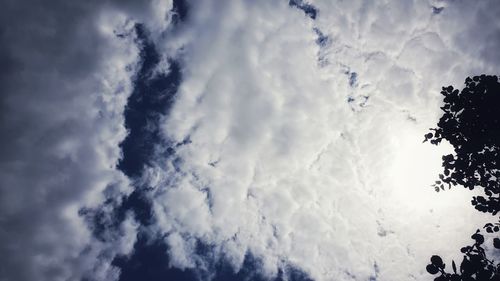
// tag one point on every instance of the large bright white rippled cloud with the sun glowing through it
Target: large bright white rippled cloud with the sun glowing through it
(310, 154)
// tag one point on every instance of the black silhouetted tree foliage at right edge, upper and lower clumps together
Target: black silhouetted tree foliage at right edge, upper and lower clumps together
(471, 123)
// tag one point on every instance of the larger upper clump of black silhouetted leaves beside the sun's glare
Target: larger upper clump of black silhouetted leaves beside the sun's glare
(471, 123)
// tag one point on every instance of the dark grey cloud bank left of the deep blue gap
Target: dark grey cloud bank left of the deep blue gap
(65, 83)
